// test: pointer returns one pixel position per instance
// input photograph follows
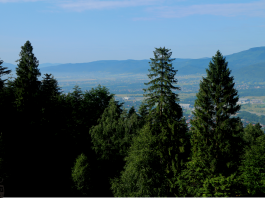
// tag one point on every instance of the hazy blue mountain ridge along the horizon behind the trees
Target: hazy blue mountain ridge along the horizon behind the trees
(247, 64)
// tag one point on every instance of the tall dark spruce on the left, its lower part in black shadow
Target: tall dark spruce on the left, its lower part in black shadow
(28, 108)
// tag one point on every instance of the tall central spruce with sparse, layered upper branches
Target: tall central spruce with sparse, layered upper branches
(166, 118)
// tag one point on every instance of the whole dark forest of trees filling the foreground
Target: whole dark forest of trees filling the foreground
(88, 145)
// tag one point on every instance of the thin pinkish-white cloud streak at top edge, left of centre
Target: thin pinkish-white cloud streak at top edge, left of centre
(96, 4)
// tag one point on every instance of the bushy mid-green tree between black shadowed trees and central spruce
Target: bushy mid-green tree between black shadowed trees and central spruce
(112, 137)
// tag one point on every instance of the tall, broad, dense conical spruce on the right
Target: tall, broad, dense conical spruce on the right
(217, 147)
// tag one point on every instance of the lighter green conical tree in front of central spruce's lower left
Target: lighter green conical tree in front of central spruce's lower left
(143, 175)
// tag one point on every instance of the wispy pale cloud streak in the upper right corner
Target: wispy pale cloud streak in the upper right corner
(254, 9)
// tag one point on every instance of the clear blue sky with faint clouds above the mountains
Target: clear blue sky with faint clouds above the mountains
(68, 31)
